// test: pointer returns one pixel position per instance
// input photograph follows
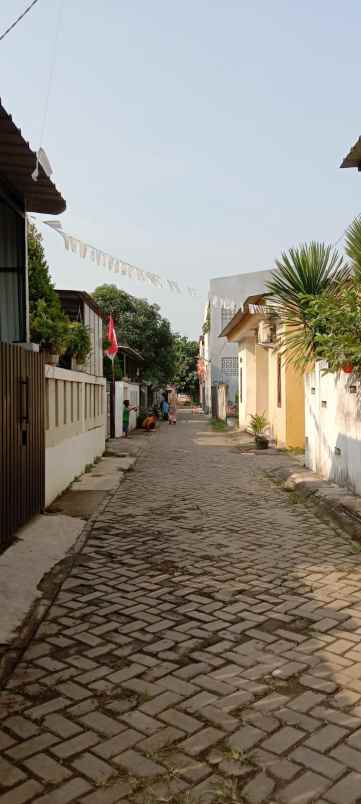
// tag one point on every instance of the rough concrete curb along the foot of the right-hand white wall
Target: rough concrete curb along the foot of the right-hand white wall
(332, 500)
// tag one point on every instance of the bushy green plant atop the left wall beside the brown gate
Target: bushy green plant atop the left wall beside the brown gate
(50, 330)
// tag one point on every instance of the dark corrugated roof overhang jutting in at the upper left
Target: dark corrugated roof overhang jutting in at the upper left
(17, 163)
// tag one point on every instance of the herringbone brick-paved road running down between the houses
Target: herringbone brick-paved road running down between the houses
(206, 646)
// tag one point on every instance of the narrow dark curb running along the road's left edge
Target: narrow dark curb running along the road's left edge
(51, 584)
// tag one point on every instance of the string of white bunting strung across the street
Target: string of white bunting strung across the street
(119, 266)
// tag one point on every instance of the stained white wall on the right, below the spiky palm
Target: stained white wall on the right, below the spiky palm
(333, 427)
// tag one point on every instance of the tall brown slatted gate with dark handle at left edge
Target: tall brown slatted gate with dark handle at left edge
(22, 438)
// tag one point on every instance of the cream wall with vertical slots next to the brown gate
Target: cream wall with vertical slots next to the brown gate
(75, 414)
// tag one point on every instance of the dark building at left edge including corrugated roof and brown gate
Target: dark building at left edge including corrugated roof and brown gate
(22, 381)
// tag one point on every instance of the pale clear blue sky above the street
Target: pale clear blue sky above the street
(195, 139)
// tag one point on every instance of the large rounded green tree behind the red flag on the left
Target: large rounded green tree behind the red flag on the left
(139, 324)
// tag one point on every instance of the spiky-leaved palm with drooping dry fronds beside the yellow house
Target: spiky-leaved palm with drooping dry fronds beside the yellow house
(302, 274)
